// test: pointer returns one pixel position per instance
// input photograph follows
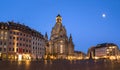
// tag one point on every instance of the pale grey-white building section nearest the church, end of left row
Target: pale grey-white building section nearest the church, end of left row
(38, 46)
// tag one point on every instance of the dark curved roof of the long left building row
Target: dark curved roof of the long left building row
(21, 27)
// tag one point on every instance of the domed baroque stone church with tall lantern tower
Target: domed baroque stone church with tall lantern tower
(59, 44)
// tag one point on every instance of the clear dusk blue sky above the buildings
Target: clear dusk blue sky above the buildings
(81, 18)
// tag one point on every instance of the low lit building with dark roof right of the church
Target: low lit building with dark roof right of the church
(105, 50)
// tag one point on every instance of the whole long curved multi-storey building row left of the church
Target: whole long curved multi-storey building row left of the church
(16, 42)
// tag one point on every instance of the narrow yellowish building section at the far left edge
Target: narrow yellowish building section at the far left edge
(3, 40)
